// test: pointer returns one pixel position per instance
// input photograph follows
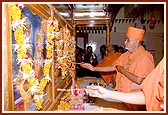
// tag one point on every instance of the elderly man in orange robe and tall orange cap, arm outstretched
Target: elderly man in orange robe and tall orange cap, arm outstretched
(138, 61)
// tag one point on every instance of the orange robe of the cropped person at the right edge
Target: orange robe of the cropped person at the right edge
(153, 88)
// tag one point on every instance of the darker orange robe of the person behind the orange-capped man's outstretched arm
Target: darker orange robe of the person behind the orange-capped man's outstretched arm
(107, 61)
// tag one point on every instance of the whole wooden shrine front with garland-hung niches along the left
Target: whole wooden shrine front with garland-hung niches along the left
(42, 54)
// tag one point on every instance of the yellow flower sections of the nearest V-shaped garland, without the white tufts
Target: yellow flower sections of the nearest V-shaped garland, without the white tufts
(26, 67)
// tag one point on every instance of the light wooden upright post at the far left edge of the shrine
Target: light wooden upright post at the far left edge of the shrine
(7, 61)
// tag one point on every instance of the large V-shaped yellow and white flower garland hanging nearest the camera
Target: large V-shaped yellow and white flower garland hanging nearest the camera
(25, 61)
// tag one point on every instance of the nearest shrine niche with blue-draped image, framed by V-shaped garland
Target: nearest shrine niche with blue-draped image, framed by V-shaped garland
(27, 59)
